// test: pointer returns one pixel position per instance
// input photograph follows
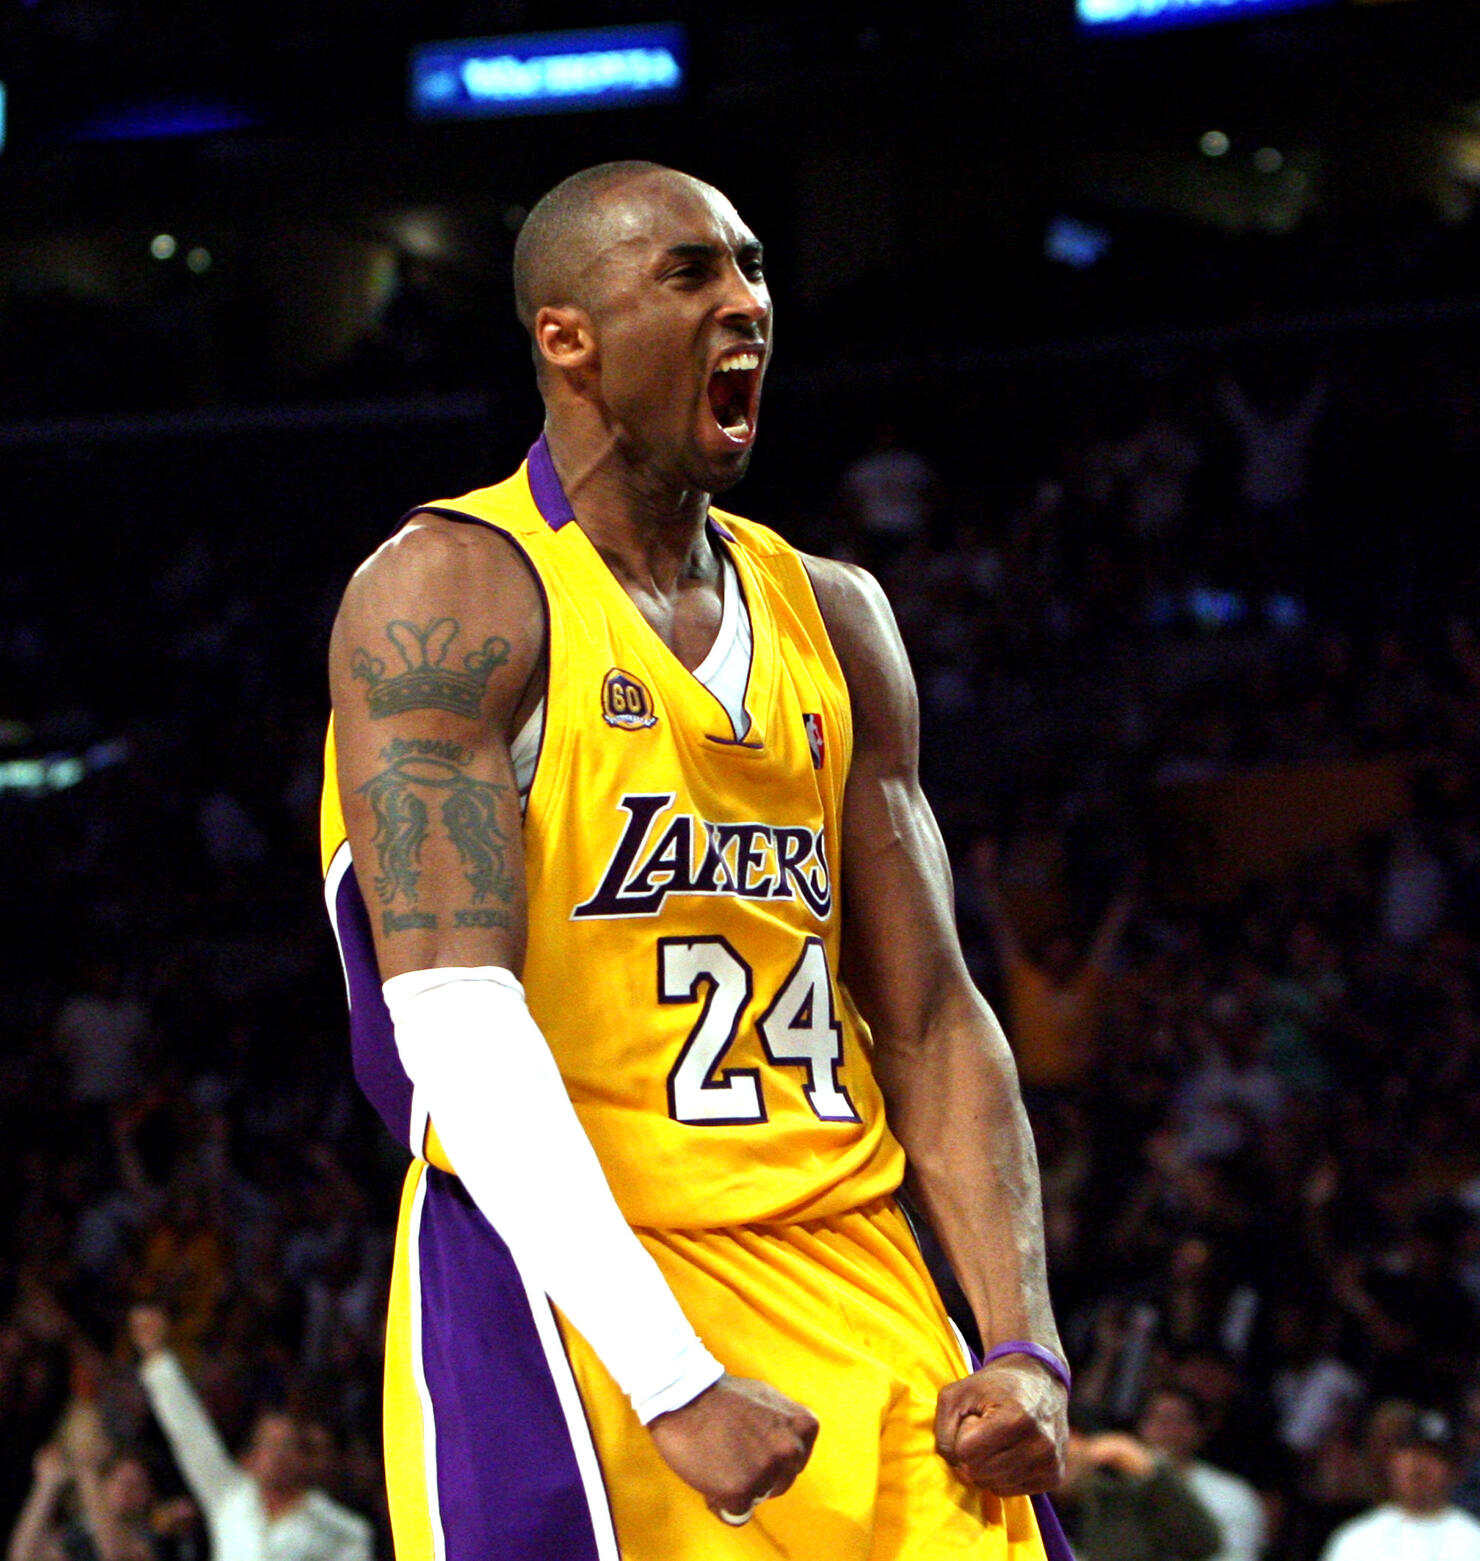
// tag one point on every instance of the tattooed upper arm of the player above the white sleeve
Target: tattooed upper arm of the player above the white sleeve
(432, 661)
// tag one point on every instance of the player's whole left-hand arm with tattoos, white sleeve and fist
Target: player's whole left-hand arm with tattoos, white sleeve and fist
(435, 663)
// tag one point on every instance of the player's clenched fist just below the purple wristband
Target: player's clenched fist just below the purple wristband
(1005, 1428)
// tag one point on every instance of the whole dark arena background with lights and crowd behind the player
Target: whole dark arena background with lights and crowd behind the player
(1136, 350)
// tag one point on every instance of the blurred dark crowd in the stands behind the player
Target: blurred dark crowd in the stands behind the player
(1254, 1075)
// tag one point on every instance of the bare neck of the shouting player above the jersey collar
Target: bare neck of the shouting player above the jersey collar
(647, 527)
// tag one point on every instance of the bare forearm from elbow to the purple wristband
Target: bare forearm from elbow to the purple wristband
(953, 1103)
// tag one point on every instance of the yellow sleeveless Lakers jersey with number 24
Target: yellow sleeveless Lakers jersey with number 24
(685, 894)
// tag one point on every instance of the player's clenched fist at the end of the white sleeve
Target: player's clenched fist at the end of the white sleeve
(738, 1445)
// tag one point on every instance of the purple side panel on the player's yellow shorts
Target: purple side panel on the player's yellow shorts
(508, 1482)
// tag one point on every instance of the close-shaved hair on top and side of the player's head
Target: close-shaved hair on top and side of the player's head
(563, 235)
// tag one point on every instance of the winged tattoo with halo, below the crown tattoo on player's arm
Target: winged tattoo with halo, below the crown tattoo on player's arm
(425, 773)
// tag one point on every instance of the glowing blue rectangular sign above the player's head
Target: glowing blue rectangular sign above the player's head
(547, 73)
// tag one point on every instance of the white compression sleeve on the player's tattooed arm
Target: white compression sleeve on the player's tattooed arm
(499, 1103)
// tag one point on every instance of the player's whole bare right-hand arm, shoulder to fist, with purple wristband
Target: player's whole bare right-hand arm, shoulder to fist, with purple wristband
(942, 1061)
